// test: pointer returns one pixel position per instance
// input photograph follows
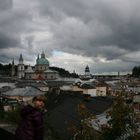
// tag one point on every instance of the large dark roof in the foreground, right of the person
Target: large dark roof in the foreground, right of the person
(62, 112)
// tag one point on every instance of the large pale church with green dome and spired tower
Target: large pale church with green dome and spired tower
(40, 71)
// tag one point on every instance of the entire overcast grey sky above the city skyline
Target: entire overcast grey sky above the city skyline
(103, 34)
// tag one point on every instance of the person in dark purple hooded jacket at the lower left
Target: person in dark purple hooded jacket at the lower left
(31, 125)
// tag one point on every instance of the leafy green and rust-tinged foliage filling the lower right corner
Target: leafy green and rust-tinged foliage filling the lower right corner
(123, 121)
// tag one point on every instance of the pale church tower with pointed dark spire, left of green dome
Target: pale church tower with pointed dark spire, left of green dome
(21, 68)
